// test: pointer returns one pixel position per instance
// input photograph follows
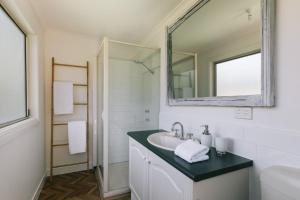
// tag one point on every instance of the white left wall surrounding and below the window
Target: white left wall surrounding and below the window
(22, 155)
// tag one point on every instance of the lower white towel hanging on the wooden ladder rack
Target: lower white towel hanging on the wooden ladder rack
(77, 136)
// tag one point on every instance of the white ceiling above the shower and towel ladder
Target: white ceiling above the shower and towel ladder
(127, 20)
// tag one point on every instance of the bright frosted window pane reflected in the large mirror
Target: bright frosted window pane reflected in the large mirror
(241, 76)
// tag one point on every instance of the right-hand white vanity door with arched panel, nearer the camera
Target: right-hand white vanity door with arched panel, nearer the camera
(165, 183)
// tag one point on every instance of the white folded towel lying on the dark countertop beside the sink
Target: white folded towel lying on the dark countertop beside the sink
(192, 151)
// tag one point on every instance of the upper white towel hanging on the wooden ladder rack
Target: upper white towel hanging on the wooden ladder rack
(63, 97)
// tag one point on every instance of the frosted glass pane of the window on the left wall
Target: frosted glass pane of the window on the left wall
(12, 71)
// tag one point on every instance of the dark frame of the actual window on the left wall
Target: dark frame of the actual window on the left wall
(27, 111)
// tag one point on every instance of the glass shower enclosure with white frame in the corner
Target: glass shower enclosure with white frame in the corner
(127, 100)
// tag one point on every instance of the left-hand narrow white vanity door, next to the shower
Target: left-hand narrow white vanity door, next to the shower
(138, 170)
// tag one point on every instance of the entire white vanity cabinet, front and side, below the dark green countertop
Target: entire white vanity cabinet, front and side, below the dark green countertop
(152, 178)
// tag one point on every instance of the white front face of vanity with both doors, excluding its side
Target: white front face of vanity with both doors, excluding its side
(151, 178)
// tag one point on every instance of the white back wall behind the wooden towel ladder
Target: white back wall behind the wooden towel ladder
(69, 48)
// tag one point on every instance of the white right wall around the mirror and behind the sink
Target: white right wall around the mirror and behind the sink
(273, 136)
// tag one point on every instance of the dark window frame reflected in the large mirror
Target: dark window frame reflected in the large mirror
(250, 53)
